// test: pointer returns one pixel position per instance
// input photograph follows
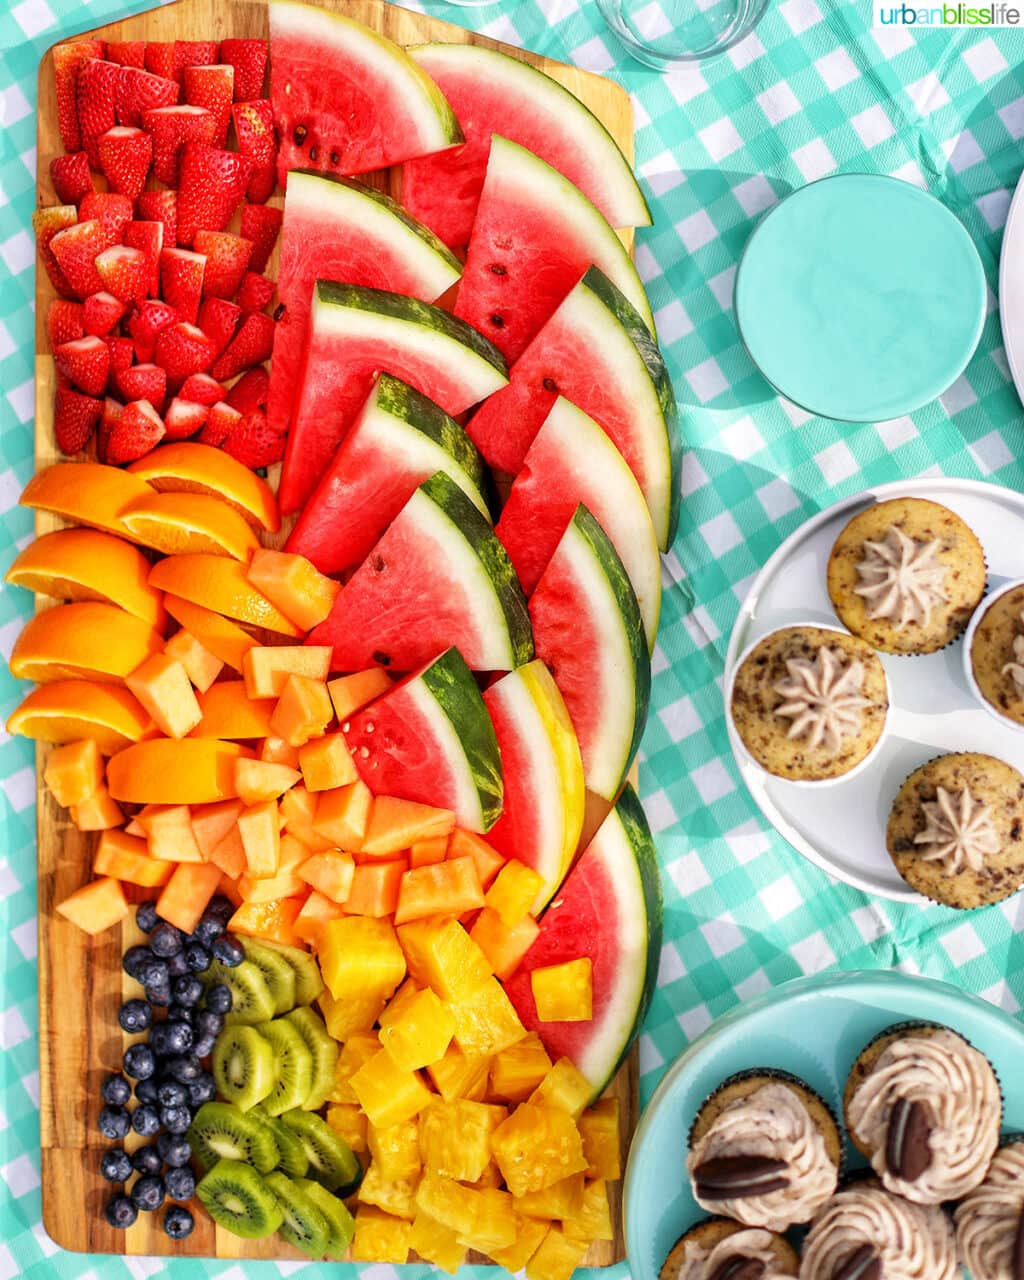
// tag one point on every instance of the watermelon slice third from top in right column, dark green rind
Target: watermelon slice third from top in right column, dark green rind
(596, 353)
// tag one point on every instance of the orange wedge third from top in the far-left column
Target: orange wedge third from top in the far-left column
(88, 641)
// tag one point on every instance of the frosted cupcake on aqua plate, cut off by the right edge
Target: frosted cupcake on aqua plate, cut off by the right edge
(990, 1223)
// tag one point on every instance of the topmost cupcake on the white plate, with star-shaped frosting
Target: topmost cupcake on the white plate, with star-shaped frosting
(907, 575)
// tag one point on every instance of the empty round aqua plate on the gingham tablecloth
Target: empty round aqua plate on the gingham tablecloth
(861, 298)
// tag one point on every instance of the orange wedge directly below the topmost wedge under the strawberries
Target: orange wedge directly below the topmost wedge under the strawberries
(181, 523)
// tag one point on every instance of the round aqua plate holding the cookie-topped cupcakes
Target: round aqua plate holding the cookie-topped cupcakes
(816, 1028)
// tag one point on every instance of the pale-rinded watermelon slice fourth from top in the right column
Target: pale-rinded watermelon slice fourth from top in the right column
(573, 461)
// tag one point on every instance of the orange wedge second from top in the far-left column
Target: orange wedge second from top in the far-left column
(88, 565)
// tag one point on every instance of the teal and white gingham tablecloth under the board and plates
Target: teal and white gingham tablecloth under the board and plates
(812, 93)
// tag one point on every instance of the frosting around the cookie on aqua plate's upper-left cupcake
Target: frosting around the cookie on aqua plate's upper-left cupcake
(770, 1124)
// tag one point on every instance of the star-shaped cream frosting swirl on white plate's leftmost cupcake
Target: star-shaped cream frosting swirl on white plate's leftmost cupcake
(822, 698)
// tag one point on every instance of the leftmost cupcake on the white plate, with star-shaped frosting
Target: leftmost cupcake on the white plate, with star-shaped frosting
(810, 703)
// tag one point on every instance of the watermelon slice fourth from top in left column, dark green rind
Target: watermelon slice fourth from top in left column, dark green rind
(399, 441)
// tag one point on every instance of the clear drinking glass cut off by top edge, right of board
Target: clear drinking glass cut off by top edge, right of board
(668, 34)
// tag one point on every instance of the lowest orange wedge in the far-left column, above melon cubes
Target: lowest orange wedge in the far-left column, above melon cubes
(72, 710)
